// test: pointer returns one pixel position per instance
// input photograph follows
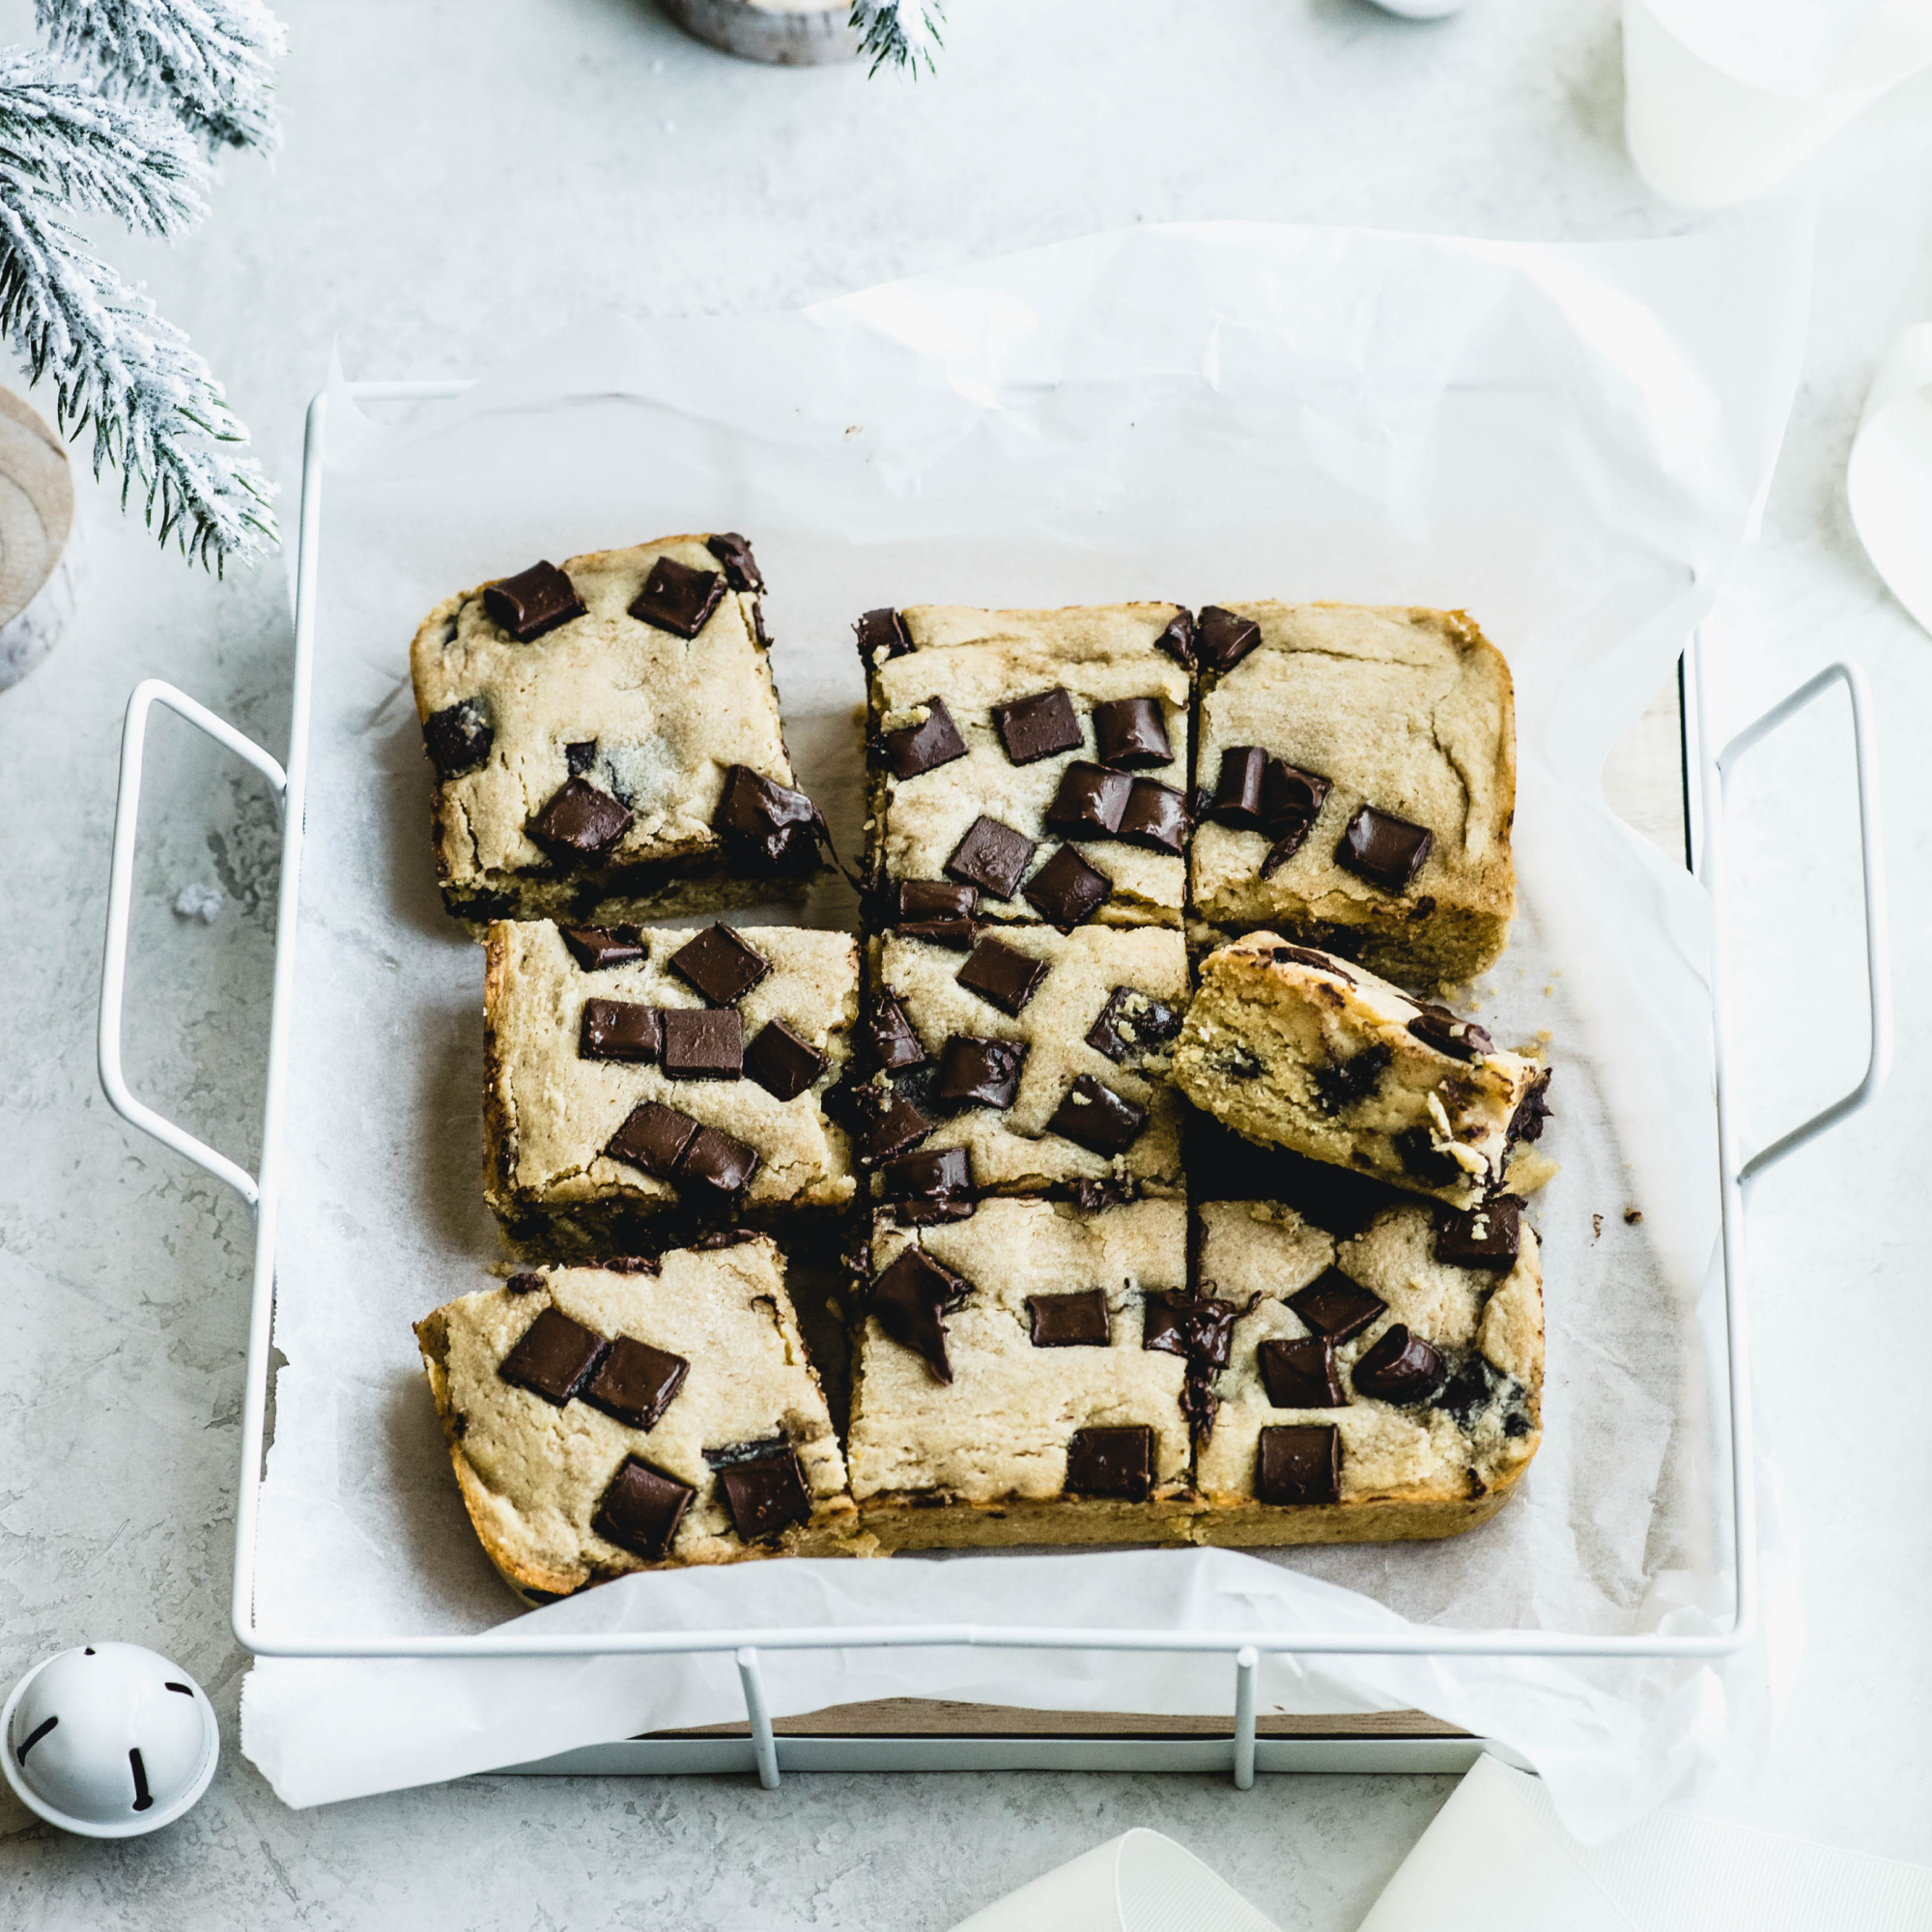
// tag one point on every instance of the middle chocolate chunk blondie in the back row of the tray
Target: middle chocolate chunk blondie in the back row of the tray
(1037, 758)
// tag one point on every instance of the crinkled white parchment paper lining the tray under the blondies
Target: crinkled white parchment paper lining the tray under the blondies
(1566, 441)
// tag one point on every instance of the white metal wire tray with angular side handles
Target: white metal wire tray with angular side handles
(952, 1738)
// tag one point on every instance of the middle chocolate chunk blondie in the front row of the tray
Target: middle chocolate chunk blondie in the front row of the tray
(1004, 1392)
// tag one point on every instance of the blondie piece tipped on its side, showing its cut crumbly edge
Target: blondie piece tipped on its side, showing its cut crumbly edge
(1315, 1054)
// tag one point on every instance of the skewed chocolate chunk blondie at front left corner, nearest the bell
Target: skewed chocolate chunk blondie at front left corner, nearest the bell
(637, 1417)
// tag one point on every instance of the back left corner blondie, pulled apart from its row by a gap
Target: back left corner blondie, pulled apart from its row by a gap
(606, 741)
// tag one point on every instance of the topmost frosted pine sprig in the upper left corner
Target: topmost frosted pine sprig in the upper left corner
(208, 61)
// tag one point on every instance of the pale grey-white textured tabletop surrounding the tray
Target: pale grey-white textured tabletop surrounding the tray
(432, 154)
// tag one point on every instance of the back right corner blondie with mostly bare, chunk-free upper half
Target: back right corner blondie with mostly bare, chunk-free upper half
(1359, 774)
